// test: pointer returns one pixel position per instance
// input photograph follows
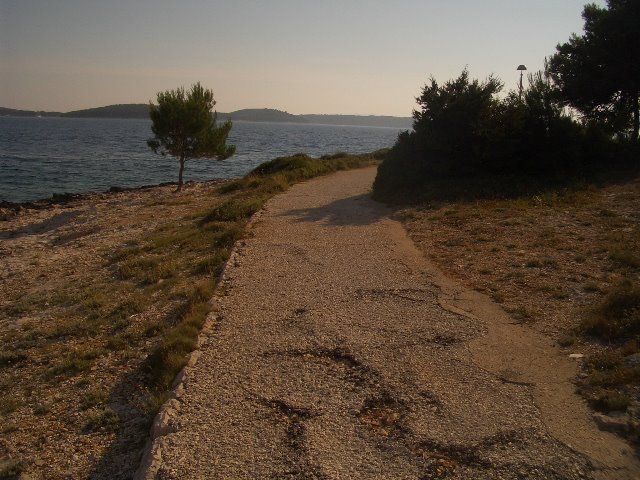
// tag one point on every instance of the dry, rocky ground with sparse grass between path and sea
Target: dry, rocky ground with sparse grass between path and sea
(95, 329)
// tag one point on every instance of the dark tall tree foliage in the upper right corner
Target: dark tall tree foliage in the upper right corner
(598, 72)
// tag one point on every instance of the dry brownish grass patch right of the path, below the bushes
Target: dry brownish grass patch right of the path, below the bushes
(567, 263)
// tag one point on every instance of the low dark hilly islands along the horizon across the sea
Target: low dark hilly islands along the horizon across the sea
(141, 110)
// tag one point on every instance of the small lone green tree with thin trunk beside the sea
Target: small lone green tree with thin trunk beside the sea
(184, 127)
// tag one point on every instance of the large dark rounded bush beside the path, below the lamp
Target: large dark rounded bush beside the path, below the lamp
(464, 130)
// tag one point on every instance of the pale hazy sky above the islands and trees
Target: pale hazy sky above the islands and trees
(302, 56)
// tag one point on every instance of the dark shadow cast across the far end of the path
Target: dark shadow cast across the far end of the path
(355, 211)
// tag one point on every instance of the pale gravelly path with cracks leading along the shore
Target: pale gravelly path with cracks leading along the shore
(339, 352)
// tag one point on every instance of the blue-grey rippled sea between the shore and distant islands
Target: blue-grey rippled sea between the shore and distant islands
(42, 156)
